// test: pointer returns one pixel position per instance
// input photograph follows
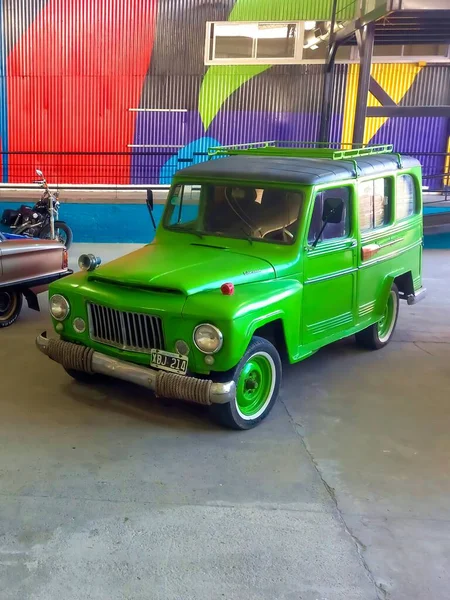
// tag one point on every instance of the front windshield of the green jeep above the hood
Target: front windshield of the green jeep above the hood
(245, 212)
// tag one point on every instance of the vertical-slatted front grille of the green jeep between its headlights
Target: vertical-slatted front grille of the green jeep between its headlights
(126, 330)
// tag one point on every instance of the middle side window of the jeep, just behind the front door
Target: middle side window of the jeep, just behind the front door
(375, 203)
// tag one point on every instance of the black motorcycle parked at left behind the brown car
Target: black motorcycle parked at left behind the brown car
(41, 220)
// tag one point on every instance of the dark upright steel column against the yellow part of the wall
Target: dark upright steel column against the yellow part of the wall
(365, 38)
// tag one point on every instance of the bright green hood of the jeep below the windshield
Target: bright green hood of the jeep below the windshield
(184, 269)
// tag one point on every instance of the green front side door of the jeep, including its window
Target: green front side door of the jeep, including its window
(330, 271)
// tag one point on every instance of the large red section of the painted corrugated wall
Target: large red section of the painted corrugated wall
(72, 77)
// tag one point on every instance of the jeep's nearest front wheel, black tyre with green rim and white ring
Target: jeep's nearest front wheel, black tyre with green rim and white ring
(258, 380)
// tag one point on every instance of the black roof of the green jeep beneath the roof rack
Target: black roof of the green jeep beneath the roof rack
(308, 171)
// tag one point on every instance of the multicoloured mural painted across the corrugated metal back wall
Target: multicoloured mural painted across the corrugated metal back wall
(116, 91)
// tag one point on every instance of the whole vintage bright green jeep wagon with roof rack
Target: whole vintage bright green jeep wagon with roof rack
(264, 253)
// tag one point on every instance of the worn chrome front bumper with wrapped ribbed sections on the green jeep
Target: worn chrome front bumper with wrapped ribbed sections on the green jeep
(167, 385)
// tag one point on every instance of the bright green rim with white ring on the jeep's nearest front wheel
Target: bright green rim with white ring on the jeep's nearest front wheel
(255, 385)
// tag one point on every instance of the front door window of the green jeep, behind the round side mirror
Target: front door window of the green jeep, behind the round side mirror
(331, 230)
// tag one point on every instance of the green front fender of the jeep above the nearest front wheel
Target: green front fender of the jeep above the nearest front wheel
(240, 315)
